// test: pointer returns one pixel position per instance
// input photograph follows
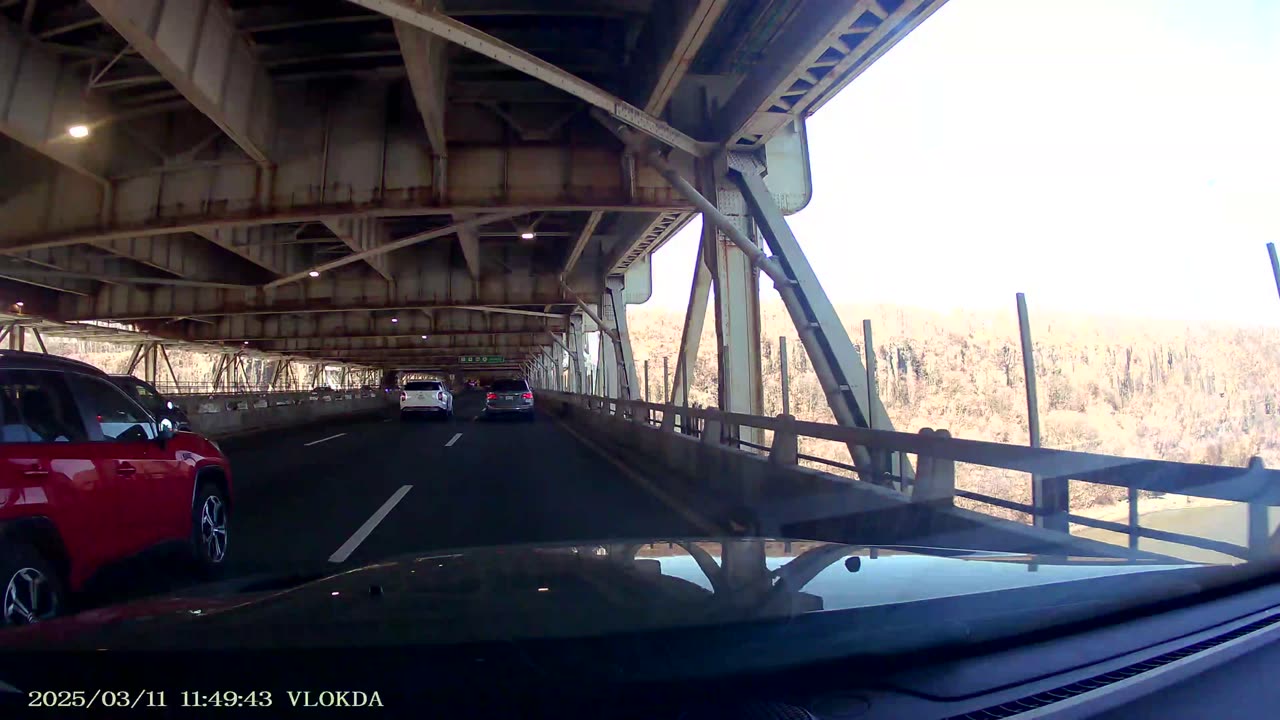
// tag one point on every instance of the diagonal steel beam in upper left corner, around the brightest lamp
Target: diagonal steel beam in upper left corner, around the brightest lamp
(40, 99)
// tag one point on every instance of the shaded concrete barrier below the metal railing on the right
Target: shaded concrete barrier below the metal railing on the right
(743, 493)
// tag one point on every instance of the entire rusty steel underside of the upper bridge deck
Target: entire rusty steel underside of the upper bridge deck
(291, 177)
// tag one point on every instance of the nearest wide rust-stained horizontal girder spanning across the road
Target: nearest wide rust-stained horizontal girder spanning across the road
(481, 179)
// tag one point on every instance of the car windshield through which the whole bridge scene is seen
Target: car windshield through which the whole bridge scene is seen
(506, 320)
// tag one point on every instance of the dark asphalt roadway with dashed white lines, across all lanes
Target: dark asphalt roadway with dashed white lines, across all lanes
(331, 496)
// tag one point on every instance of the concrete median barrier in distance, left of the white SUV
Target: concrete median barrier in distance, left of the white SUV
(244, 417)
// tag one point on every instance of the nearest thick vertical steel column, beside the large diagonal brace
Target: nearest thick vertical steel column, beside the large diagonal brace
(735, 281)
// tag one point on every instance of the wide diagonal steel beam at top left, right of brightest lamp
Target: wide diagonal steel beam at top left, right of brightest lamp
(196, 47)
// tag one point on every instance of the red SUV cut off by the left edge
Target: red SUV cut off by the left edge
(88, 479)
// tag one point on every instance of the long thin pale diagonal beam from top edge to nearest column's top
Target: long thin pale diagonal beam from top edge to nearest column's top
(518, 60)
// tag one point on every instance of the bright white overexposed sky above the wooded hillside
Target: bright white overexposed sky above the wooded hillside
(1104, 157)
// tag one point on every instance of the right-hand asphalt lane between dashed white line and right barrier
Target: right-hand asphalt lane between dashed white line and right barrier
(505, 481)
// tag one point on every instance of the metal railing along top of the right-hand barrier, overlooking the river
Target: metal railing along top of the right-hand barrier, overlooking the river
(936, 454)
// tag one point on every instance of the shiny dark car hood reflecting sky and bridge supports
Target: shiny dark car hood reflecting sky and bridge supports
(573, 591)
